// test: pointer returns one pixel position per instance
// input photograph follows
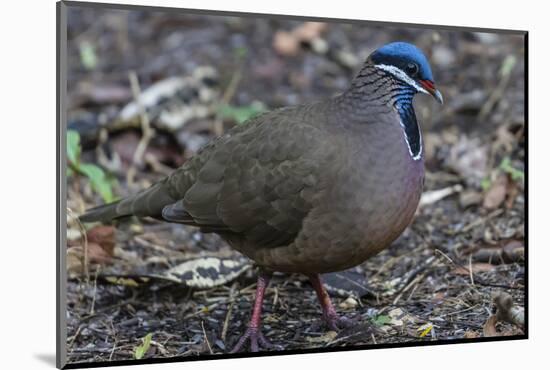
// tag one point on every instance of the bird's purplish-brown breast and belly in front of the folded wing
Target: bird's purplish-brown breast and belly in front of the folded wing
(369, 196)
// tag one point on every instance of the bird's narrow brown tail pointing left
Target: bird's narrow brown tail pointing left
(148, 202)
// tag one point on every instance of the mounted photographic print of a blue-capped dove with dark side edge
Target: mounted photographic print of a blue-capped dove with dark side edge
(236, 184)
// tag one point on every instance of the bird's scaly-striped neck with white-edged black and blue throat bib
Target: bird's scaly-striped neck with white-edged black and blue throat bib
(376, 91)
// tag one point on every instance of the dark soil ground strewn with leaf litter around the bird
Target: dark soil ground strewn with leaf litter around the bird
(436, 282)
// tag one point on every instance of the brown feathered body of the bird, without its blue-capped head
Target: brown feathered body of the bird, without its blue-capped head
(310, 189)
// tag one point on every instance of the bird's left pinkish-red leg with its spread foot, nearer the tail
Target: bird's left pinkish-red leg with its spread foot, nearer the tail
(254, 327)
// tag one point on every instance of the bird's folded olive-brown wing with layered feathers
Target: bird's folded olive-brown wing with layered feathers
(258, 182)
